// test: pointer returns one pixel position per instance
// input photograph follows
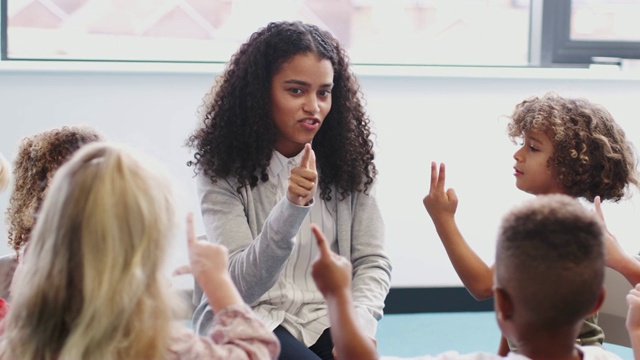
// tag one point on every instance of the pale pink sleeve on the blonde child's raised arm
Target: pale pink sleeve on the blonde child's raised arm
(236, 334)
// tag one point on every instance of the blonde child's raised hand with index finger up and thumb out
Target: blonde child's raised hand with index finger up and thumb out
(205, 258)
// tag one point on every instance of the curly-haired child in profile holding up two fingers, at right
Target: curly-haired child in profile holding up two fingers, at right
(570, 146)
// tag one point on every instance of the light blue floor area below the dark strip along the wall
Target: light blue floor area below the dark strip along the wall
(410, 335)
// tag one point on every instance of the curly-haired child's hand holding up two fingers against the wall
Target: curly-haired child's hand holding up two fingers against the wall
(438, 202)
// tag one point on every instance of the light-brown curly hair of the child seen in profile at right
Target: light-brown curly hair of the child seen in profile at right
(590, 151)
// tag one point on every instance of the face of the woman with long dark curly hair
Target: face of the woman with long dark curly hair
(300, 101)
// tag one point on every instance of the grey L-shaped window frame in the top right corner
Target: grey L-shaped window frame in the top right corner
(558, 50)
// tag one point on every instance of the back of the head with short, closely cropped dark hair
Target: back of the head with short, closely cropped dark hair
(550, 260)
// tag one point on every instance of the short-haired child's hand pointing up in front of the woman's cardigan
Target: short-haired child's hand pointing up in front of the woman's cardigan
(331, 272)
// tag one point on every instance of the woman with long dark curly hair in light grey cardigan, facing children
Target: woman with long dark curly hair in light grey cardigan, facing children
(286, 119)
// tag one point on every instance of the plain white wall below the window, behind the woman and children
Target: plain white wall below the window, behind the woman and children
(444, 114)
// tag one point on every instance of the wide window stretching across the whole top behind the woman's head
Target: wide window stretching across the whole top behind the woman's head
(378, 32)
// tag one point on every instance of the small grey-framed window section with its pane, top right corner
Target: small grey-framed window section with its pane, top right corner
(582, 32)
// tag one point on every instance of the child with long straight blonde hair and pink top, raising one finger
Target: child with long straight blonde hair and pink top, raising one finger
(91, 285)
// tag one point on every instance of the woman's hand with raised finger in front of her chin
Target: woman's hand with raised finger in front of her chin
(303, 179)
